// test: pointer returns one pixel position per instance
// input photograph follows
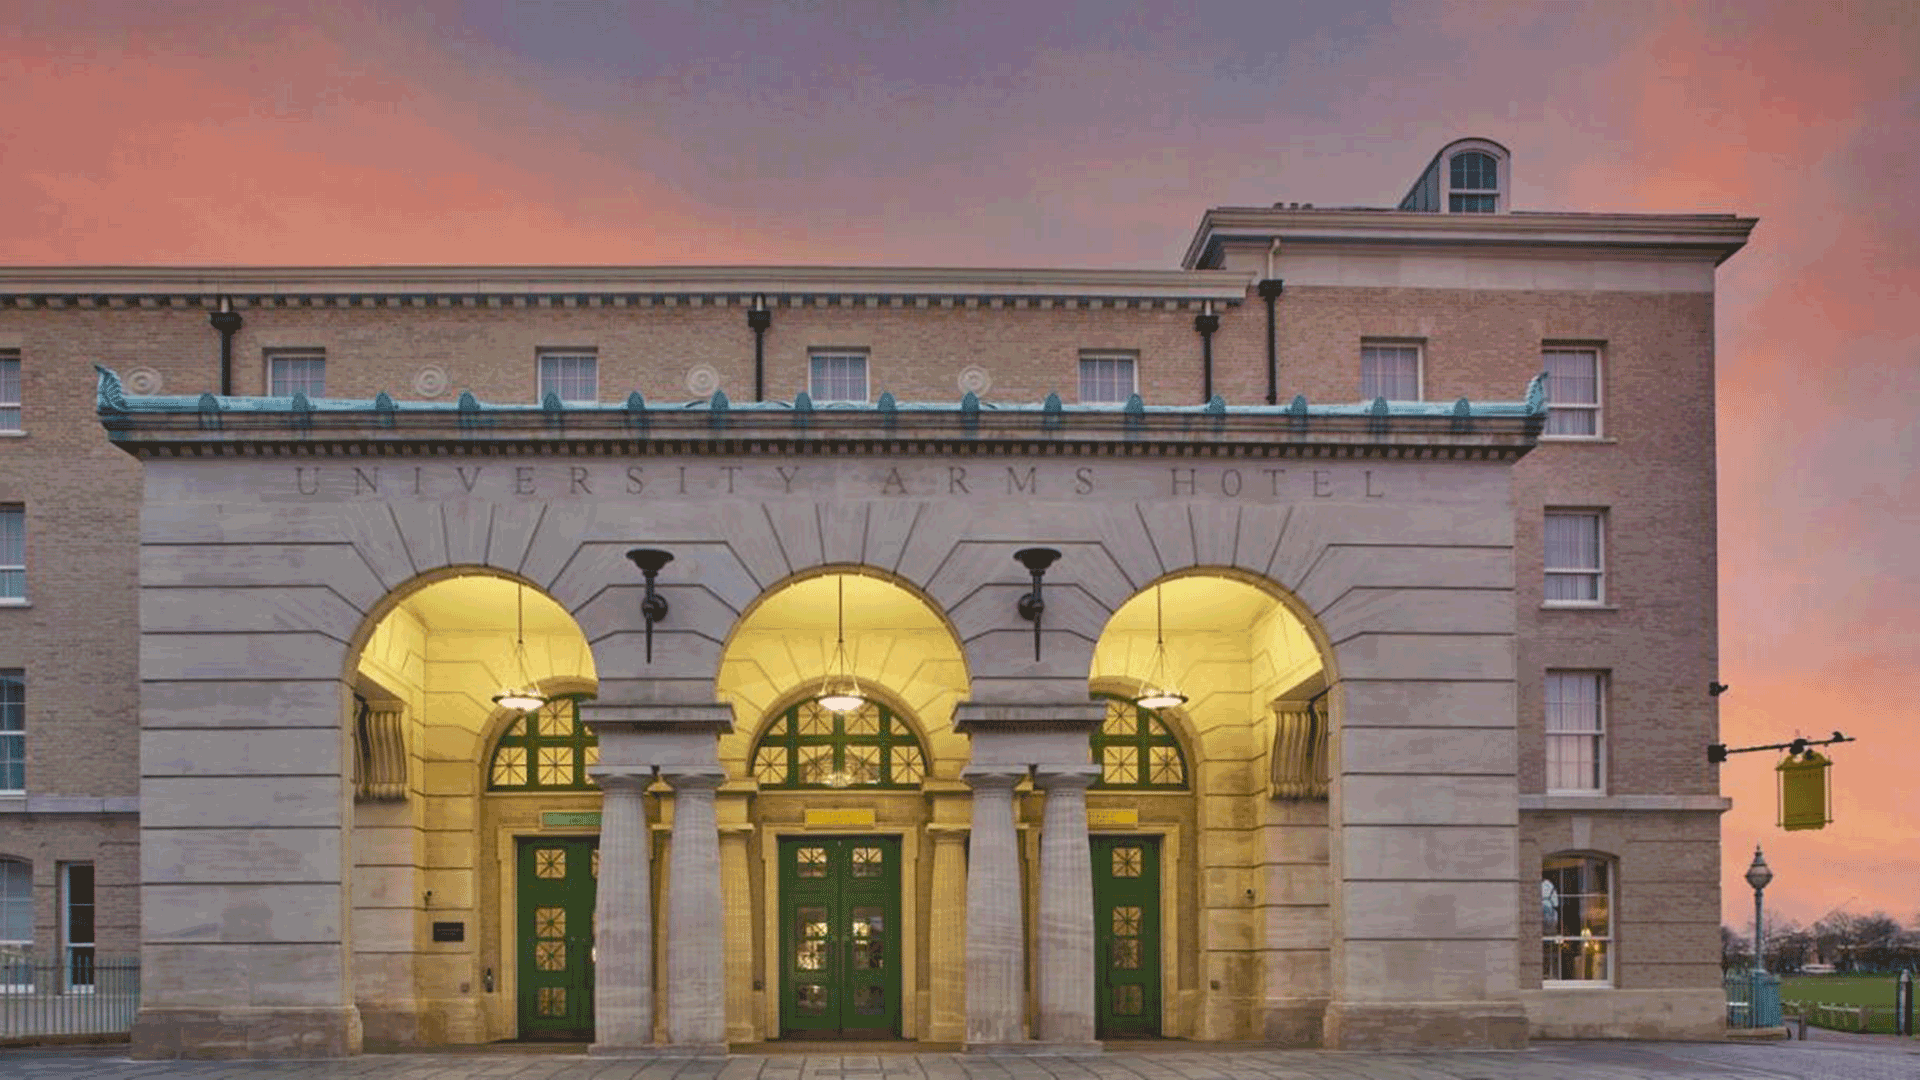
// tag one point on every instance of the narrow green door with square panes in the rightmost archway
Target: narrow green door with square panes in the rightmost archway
(1126, 920)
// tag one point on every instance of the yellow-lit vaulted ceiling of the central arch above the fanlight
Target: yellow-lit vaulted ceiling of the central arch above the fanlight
(901, 650)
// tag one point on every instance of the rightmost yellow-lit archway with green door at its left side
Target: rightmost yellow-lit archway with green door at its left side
(1211, 854)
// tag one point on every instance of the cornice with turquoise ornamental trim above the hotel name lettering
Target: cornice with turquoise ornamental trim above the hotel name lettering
(210, 426)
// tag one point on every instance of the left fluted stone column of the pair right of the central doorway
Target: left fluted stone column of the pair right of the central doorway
(996, 945)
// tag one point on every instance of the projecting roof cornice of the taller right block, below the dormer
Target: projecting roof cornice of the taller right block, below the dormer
(1696, 235)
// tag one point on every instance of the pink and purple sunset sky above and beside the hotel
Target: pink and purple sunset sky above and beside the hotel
(1095, 134)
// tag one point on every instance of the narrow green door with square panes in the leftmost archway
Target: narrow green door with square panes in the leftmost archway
(556, 920)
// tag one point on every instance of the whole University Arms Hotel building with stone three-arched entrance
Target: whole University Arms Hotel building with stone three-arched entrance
(1443, 666)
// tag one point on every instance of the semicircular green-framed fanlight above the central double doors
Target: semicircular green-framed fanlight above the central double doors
(811, 747)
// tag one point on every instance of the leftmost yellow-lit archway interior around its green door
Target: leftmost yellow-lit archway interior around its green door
(441, 812)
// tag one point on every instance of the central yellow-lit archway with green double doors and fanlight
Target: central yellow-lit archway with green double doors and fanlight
(842, 822)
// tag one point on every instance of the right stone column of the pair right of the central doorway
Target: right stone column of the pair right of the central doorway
(1065, 943)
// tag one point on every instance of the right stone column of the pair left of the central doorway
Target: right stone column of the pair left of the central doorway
(696, 1002)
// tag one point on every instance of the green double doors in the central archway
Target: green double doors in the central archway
(840, 937)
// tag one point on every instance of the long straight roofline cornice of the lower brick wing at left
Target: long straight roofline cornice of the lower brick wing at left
(613, 287)
